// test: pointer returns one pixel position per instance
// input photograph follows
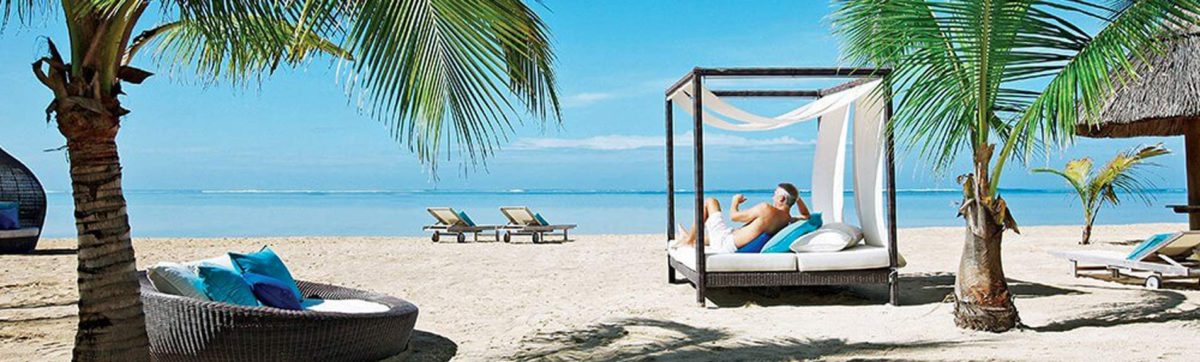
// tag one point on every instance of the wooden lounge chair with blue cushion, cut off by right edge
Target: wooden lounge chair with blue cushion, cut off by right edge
(1161, 257)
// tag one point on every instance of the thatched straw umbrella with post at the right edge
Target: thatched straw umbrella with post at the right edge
(1163, 100)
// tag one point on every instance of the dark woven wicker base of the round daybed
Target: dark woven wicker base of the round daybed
(184, 329)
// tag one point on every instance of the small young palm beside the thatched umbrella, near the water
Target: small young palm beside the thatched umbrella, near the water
(1102, 188)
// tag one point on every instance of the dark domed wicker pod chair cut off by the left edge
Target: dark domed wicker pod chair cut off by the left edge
(19, 184)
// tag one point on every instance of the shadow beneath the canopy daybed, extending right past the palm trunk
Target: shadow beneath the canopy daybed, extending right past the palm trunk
(915, 291)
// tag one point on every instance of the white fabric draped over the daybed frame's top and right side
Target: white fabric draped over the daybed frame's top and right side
(829, 165)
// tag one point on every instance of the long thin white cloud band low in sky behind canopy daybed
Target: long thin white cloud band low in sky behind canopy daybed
(623, 142)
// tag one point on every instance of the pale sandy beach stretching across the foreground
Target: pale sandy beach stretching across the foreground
(607, 298)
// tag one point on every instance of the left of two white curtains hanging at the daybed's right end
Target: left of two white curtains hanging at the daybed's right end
(830, 166)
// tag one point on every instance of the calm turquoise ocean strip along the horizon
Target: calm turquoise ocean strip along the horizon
(255, 213)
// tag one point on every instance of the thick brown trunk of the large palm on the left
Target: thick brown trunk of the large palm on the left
(112, 325)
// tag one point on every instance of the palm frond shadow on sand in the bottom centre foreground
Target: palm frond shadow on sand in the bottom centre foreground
(669, 341)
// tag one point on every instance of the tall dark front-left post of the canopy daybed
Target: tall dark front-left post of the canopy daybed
(699, 147)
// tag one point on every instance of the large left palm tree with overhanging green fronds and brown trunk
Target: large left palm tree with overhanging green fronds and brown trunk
(443, 75)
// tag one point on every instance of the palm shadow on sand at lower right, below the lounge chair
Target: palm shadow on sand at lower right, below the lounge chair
(1157, 306)
